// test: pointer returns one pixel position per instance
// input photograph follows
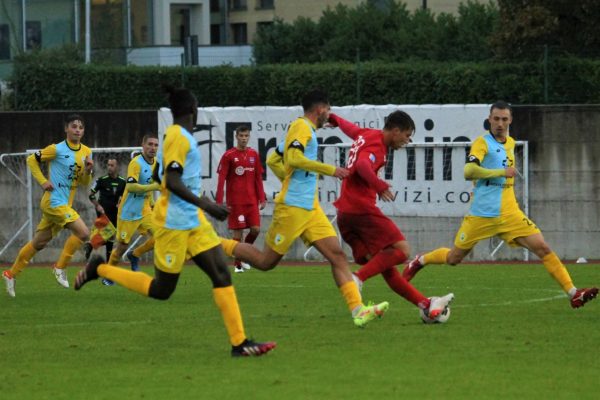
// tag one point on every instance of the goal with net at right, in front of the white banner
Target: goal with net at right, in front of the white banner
(431, 195)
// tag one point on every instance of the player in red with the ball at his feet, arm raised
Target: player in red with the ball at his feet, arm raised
(377, 243)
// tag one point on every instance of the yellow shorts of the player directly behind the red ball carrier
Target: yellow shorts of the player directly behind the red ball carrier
(290, 223)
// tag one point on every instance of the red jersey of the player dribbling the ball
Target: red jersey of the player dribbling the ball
(366, 157)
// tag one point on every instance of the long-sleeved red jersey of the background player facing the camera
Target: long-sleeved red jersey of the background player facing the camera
(243, 172)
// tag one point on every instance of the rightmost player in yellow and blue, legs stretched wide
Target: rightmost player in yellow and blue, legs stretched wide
(495, 211)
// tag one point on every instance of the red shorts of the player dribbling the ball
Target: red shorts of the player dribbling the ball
(367, 234)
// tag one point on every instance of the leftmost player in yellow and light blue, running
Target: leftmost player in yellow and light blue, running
(69, 165)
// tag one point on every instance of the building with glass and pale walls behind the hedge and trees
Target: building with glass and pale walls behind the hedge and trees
(152, 32)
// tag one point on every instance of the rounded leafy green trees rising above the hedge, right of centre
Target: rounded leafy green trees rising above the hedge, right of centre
(372, 32)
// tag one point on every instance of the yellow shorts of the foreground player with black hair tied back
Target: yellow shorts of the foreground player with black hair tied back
(172, 247)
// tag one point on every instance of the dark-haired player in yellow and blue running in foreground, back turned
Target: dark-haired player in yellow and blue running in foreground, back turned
(182, 231)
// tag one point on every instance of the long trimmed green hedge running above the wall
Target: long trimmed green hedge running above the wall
(43, 86)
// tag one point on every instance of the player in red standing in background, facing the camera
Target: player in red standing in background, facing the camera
(241, 171)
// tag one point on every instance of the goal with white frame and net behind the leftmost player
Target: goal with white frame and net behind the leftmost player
(21, 216)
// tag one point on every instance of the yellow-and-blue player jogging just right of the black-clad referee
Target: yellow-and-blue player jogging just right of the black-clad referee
(135, 212)
